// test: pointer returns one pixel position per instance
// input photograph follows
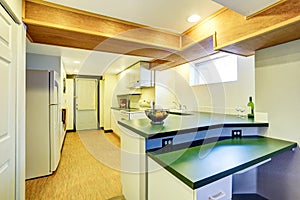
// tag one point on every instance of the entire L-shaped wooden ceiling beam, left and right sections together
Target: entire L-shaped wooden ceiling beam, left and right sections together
(226, 30)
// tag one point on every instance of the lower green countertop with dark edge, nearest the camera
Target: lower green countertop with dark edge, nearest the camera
(201, 165)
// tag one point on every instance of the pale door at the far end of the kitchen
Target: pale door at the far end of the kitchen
(86, 104)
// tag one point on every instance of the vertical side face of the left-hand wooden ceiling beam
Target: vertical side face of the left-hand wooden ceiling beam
(64, 18)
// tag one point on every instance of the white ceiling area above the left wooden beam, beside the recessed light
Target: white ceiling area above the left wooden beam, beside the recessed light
(164, 14)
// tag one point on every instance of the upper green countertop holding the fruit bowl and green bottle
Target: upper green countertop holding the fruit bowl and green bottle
(176, 124)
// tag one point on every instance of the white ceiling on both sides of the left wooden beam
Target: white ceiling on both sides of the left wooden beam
(163, 14)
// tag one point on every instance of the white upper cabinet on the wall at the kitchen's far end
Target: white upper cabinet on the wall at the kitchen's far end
(140, 76)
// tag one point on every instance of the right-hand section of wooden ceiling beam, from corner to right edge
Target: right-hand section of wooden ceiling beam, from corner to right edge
(242, 36)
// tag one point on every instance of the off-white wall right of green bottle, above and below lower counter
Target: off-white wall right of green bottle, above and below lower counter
(278, 93)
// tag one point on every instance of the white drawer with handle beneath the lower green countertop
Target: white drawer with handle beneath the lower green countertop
(218, 190)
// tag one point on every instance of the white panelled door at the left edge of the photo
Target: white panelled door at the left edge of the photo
(8, 65)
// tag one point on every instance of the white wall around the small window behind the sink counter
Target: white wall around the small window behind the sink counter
(173, 85)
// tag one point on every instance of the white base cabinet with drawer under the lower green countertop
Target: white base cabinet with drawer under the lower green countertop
(164, 185)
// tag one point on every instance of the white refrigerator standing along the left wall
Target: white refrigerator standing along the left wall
(42, 123)
